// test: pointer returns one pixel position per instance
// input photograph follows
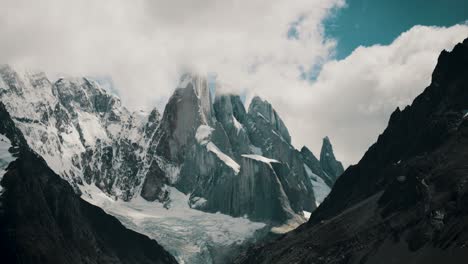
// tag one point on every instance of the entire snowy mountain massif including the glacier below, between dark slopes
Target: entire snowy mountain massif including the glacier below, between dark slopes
(204, 178)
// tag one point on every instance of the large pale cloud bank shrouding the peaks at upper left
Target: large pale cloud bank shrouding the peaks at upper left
(146, 44)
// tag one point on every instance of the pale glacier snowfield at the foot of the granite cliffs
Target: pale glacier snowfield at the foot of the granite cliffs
(189, 234)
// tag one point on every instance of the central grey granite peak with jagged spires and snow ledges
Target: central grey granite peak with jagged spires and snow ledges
(209, 144)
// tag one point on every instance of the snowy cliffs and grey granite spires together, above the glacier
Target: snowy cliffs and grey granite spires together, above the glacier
(198, 145)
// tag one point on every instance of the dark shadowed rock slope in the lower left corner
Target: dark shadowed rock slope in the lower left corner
(42, 220)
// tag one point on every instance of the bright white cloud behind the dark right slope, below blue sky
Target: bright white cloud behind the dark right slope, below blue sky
(352, 99)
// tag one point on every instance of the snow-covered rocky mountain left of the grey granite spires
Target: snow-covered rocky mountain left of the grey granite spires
(81, 130)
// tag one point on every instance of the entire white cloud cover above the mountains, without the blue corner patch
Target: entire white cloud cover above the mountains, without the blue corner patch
(279, 50)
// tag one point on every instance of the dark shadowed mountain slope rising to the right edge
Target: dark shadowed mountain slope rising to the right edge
(406, 200)
